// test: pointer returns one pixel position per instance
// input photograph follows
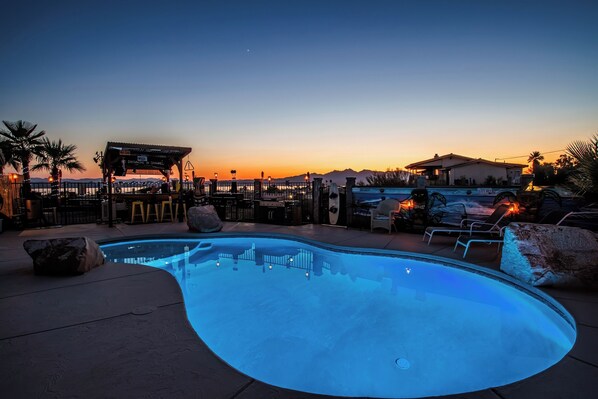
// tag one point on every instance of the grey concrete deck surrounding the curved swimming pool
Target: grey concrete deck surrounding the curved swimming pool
(121, 330)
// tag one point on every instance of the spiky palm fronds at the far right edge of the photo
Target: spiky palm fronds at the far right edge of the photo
(585, 176)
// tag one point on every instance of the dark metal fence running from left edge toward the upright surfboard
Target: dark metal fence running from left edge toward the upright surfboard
(69, 203)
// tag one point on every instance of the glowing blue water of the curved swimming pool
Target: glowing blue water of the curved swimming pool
(332, 321)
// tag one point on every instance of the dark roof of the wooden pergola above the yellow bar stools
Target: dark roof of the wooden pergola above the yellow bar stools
(143, 158)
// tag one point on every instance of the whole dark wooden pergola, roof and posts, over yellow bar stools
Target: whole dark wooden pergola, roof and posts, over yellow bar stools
(119, 158)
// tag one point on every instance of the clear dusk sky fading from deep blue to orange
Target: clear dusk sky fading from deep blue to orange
(293, 86)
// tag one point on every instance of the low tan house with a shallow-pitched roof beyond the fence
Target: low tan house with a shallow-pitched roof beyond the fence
(453, 169)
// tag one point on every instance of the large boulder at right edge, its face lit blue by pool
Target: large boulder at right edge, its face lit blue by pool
(541, 254)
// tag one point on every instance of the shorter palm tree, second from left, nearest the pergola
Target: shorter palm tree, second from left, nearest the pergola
(54, 157)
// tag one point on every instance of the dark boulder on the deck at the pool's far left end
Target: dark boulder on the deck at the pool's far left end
(63, 256)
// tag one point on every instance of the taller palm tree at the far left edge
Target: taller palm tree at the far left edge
(25, 143)
